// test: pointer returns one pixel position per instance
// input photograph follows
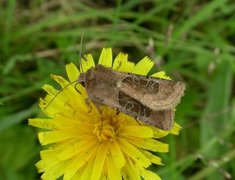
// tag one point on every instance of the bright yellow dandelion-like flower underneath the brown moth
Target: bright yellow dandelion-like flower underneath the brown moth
(83, 144)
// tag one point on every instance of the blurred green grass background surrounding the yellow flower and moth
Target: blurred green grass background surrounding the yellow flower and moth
(193, 41)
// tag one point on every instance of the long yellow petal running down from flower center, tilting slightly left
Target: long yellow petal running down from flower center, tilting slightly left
(99, 162)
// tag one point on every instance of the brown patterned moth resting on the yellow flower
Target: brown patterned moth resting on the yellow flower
(148, 99)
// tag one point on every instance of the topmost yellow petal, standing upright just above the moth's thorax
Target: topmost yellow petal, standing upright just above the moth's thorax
(106, 57)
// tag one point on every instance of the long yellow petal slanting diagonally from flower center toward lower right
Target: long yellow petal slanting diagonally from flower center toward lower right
(134, 153)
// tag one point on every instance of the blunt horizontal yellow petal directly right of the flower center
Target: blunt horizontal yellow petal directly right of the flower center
(138, 131)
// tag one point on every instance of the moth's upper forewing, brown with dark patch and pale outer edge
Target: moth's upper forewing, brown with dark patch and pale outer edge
(155, 93)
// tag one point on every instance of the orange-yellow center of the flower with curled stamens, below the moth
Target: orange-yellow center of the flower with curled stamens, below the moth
(107, 127)
